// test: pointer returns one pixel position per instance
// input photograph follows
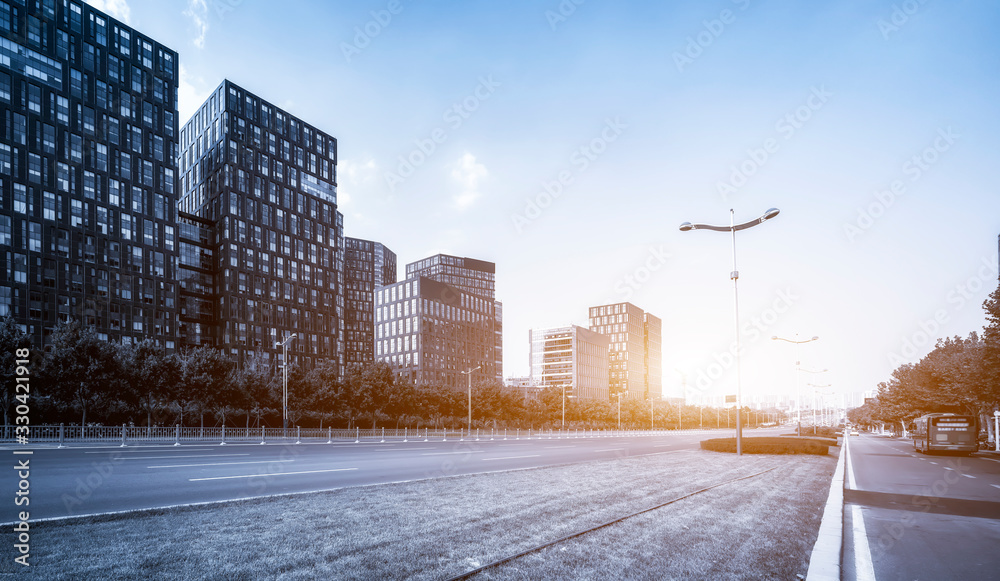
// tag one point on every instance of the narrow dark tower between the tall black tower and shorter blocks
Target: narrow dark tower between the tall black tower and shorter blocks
(368, 265)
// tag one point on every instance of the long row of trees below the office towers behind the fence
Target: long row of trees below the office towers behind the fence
(82, 378)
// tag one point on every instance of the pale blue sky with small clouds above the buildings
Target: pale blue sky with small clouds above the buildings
(566, 141)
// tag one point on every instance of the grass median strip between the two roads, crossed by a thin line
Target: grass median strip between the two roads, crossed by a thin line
(760, 528)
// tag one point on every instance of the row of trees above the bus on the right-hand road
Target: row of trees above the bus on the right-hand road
(960, 375)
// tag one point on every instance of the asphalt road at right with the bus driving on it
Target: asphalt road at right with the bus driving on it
(910, 516)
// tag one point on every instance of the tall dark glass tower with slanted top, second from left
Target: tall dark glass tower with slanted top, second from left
(265, 184)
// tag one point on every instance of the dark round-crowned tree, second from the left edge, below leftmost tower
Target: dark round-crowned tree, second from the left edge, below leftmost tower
(79, 368)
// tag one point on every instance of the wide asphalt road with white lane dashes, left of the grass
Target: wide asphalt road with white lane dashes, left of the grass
(94, 480)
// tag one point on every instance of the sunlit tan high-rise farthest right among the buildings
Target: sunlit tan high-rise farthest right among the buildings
(635, 357)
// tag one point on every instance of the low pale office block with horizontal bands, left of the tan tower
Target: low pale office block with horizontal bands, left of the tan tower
(571, 357)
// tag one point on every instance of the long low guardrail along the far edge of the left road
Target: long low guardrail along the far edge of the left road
(134, 435)
